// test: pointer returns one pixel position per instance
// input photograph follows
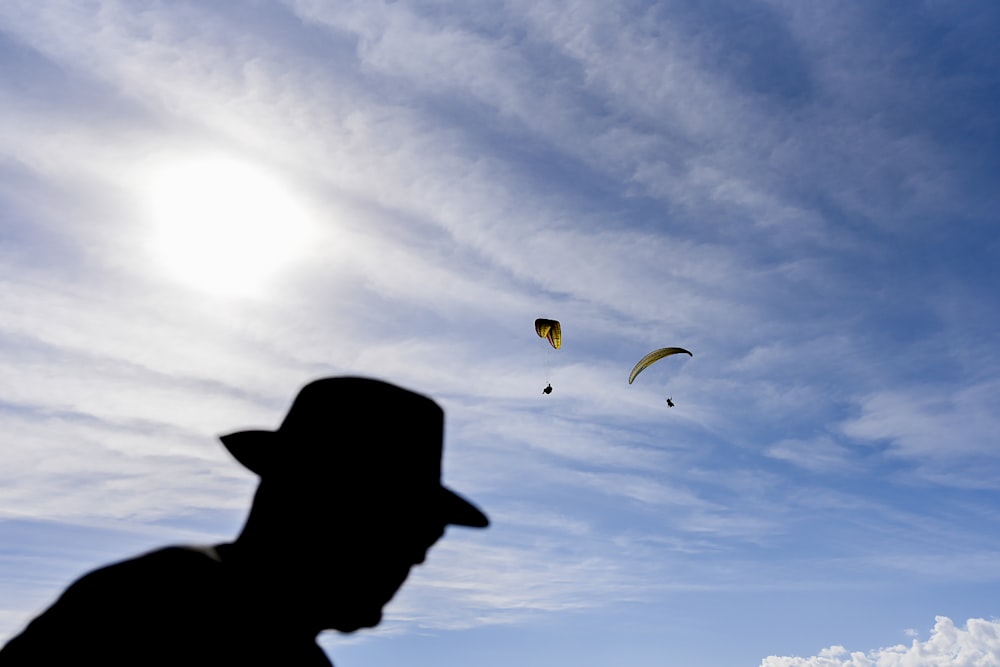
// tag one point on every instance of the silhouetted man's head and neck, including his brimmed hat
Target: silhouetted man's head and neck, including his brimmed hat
(350, 499)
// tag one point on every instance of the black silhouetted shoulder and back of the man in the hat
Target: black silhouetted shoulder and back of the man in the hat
(171, 606)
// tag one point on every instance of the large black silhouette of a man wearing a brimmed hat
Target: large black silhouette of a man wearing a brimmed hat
(350, 498)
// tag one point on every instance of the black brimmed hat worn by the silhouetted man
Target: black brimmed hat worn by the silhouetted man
(368, 435)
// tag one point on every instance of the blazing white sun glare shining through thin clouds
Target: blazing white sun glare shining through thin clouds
(223, 225)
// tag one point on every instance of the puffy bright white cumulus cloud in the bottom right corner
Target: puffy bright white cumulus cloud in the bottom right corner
(975, 645)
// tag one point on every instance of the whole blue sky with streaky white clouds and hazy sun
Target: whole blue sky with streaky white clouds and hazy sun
(205, 205)
